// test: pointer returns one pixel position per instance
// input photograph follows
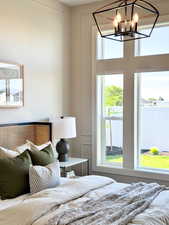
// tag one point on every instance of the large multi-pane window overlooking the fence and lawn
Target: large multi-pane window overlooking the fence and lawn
(132, 105)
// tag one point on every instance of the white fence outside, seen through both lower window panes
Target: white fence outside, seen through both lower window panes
(154, 129)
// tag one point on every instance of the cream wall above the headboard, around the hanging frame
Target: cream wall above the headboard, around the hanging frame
(36, 33)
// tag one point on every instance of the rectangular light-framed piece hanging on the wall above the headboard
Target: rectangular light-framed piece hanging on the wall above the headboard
(11, 85)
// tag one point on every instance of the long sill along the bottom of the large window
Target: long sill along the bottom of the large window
(139, 172)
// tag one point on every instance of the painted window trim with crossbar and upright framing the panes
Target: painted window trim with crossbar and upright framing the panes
(115, 66)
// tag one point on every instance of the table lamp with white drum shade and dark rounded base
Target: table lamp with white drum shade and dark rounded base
(64, 128)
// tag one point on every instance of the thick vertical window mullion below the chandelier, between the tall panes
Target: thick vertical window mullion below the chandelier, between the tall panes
(129, 115)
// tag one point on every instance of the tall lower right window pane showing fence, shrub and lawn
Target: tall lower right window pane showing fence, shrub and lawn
(153, 99)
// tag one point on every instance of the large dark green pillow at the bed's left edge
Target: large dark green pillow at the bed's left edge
(14, 176)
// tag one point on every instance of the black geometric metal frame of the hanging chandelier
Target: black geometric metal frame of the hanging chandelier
(134, 34)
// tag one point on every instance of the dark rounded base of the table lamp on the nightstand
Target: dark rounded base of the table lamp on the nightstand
(62, 148)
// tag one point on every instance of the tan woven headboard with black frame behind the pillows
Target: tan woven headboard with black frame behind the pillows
(16, 134)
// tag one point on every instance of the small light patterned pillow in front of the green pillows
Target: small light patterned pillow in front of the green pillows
(41, 178)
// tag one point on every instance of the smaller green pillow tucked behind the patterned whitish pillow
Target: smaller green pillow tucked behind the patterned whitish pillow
(43, 157)
